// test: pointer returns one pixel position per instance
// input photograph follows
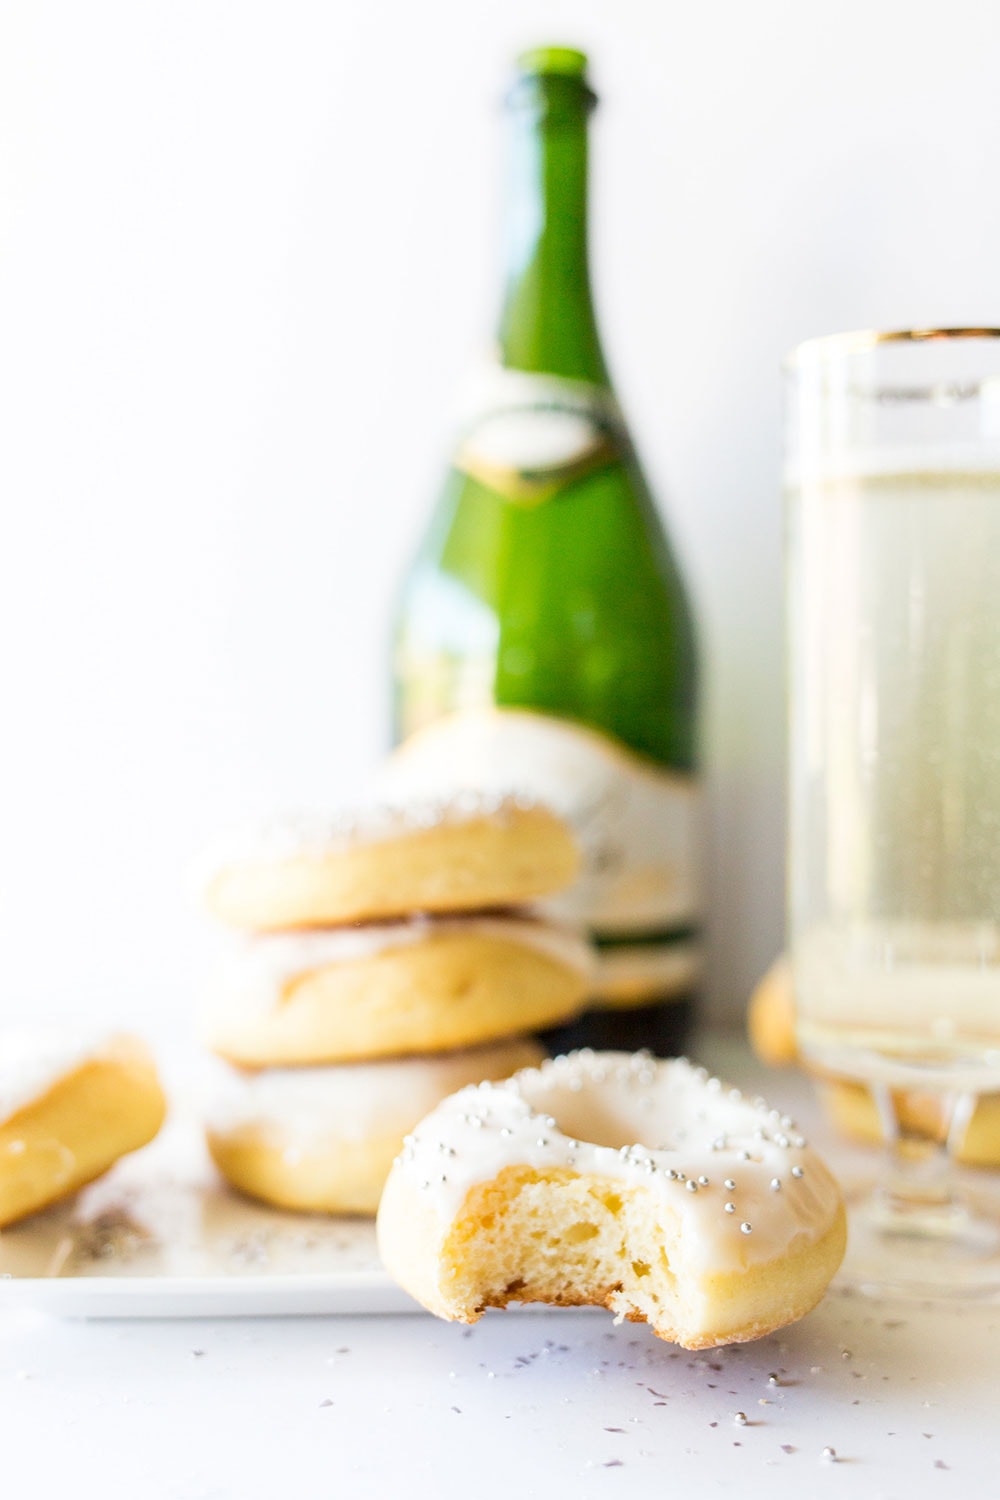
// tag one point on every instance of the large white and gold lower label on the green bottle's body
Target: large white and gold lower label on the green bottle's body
(639, 829)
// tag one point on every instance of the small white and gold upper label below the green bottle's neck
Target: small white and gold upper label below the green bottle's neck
(530, 436)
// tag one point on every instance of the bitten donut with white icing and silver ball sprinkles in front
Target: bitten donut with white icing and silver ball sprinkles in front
(720, 1228)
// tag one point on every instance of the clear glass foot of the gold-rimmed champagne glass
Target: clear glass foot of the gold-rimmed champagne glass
(923, 1246)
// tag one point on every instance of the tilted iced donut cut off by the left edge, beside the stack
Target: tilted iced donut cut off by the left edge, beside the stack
(70, 1108)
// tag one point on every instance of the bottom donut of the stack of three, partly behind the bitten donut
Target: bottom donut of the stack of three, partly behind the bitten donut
(323, 1139)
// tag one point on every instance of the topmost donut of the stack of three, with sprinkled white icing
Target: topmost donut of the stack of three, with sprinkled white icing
(455, 856)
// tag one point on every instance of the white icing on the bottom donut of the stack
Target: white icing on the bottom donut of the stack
(349, 1102)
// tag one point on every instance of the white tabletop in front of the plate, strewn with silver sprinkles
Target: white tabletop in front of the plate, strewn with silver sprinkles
(543, 1403)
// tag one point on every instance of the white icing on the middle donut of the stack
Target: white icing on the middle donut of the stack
(257, 973)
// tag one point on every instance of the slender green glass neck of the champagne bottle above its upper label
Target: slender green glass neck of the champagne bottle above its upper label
(548, 319)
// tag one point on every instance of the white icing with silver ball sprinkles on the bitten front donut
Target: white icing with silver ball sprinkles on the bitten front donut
(585, 1112)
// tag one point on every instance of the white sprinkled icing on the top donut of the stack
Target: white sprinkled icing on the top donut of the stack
(314, 835)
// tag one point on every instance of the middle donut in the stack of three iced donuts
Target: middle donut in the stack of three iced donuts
(427, 985)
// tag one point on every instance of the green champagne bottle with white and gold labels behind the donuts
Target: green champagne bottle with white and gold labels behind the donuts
(545, 638)
